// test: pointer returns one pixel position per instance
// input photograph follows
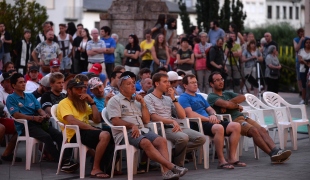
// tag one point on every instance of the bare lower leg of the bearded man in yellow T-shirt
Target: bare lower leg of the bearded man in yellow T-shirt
(104, 139)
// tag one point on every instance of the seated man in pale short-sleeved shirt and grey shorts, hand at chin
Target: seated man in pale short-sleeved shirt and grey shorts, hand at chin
(125, 110)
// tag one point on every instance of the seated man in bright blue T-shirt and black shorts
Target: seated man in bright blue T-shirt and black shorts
(196, 106)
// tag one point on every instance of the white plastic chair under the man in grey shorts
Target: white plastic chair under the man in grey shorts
(131, 151)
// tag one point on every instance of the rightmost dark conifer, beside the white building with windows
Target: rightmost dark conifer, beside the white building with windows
(237, 14)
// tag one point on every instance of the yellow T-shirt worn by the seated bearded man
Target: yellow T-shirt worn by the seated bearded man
(65, 107)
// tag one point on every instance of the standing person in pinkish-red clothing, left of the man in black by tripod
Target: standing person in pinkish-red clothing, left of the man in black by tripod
(201, 49)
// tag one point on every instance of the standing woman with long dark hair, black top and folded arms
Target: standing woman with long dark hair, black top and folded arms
(132, 51)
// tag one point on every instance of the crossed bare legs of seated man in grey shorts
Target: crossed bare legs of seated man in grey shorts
(158, 154)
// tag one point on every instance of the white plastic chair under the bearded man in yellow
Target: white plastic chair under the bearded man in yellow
(82, 148)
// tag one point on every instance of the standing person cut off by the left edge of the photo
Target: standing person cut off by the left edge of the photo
(7, 41)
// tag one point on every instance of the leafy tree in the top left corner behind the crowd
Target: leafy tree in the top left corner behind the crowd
(22, 15)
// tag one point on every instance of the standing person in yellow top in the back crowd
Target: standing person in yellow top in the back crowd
(146, 46)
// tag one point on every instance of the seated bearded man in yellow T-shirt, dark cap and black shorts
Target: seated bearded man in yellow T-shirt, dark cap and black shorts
(77, 109)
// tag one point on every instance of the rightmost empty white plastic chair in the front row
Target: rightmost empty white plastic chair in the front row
(275, 100)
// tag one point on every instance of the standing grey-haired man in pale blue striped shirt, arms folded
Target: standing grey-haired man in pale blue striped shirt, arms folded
(95, 49)
